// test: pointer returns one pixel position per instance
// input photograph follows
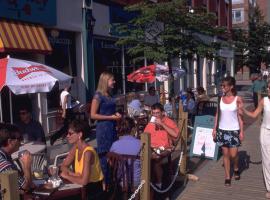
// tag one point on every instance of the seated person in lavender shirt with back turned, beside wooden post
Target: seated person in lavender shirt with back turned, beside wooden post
(128, 145)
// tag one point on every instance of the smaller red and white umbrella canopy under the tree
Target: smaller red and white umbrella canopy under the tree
(148, 74)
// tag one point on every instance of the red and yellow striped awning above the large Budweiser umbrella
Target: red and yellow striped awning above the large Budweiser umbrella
(19, 36)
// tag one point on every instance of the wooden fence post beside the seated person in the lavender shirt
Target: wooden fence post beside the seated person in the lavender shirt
(145, 163)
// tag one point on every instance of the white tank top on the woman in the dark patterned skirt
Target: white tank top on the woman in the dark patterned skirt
(228, 116)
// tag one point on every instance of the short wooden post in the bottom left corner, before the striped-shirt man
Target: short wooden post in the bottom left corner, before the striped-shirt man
(9, 185)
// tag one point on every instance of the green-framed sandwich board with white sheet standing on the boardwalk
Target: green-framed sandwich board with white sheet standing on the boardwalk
(202, 141)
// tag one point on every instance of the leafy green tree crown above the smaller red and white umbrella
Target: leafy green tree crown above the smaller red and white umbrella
(162, 31)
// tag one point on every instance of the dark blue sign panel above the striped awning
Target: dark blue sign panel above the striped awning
(36, 11)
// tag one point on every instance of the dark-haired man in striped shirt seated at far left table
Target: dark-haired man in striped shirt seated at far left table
(10, 141)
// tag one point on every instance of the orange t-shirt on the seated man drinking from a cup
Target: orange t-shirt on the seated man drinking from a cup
(160, 137)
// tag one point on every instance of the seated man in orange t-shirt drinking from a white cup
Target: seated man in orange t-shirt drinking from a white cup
(163, 132)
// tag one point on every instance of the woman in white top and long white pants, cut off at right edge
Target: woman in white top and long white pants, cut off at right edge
(264, 105)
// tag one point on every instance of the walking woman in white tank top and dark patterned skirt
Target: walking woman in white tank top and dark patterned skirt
(228, 131)
